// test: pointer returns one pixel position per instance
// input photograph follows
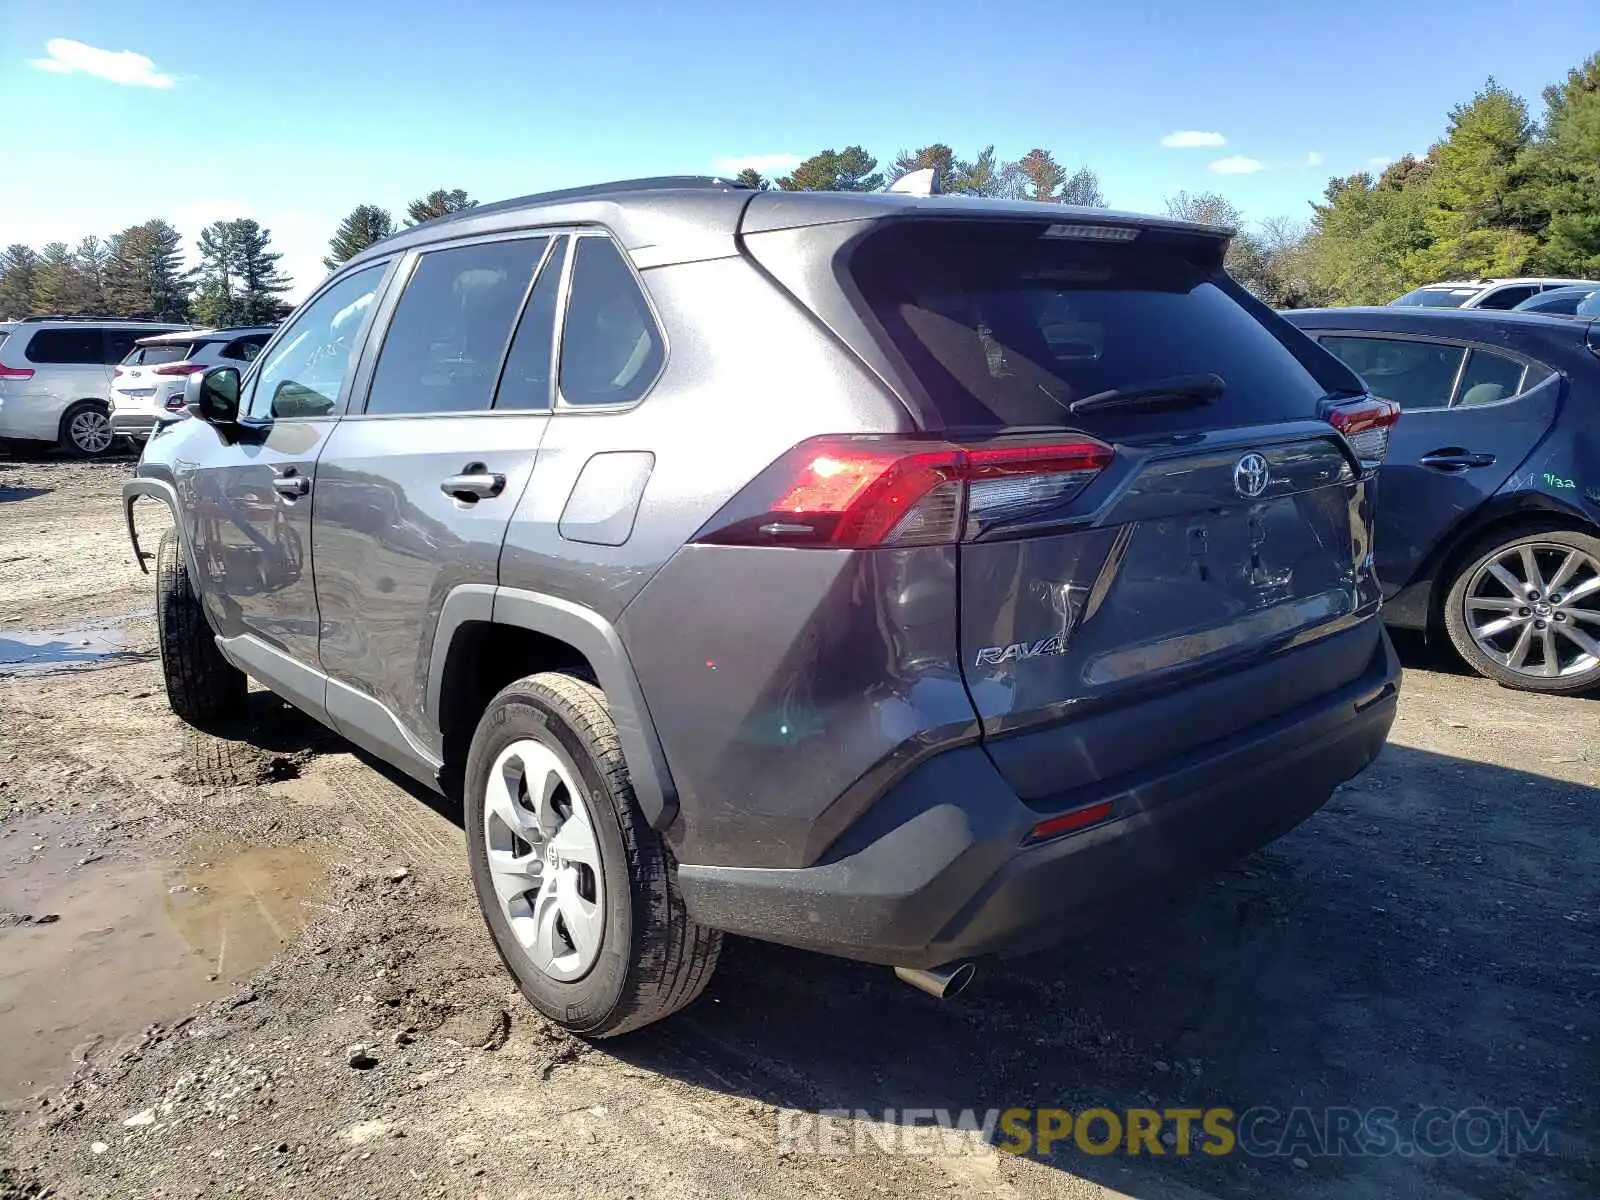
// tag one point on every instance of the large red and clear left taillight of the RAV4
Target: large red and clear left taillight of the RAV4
(855, 492)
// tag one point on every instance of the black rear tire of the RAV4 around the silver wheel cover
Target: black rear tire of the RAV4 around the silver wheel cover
(654, 959)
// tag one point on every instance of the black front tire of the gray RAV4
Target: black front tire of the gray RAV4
(202, 687)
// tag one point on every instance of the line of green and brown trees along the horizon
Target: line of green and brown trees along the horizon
(1498, 194)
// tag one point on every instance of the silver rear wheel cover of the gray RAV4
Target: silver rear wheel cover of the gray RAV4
(545, 860)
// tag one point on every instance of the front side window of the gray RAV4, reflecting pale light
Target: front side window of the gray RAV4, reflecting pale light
(311, 362)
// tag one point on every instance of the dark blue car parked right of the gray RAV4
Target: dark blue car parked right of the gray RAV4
(1489, 505)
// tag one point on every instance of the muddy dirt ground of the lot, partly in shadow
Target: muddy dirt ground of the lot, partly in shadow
(255, 967)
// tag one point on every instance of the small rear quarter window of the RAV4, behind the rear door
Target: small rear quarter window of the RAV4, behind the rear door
(612, 350)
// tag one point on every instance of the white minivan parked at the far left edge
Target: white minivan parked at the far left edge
(55, 380)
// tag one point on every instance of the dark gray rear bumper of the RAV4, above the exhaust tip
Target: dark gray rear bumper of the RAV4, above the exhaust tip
(940, 870)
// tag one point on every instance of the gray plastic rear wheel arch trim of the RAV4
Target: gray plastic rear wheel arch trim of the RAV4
(570, 638)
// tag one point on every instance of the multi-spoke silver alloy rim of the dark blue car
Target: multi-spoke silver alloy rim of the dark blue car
(1537, 610)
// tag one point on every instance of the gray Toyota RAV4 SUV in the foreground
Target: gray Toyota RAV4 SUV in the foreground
(906, 578)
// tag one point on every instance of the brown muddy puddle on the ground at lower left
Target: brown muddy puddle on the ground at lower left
(98, 950)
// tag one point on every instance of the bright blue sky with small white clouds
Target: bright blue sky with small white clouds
(118, 113)
